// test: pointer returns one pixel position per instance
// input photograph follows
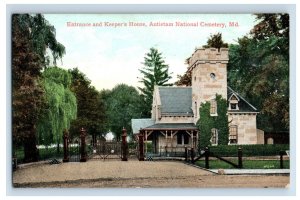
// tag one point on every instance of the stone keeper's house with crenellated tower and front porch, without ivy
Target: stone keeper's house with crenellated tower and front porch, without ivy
(175, 110)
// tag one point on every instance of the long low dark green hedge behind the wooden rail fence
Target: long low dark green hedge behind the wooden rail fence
(249, 150)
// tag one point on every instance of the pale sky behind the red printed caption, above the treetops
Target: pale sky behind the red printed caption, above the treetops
(112, 55)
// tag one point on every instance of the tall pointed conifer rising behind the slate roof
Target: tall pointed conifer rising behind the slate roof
(154, 72)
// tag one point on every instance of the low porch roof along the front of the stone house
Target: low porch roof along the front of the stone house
(172, 126)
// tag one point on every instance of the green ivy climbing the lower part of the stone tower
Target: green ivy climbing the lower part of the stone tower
(208, 122)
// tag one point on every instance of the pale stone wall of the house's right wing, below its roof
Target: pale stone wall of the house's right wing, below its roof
(246, 127)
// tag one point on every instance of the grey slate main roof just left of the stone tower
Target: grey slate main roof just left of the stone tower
(176, 101)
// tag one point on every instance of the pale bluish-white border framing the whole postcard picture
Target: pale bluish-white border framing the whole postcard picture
(213, 8)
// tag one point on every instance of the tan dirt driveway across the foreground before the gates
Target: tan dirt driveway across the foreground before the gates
(135, 174)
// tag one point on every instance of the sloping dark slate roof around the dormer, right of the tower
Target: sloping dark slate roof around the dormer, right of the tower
(244, 105)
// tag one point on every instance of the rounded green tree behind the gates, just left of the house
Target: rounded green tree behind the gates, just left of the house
(123, 103)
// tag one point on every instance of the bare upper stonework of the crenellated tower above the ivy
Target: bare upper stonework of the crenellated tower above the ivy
(208, 68)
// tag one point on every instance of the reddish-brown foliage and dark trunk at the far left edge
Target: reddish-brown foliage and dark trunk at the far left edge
(26, 93)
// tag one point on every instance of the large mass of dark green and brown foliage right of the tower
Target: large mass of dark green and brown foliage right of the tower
(259, 69)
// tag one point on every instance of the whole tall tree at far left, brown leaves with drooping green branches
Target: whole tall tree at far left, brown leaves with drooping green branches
(28, 59)
